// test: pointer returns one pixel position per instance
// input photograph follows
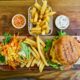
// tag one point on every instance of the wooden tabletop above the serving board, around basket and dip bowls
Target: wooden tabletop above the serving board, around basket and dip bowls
(8, 8)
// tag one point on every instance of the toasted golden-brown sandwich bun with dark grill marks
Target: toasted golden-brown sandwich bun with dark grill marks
(65, 50)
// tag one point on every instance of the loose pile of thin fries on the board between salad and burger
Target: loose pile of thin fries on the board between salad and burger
(37, 53)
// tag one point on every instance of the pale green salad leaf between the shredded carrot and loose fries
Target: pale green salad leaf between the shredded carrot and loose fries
(25, 49)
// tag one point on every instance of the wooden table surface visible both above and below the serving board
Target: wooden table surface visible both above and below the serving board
(70, 8)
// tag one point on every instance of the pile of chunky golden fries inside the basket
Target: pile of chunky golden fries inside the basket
(40, 18)
